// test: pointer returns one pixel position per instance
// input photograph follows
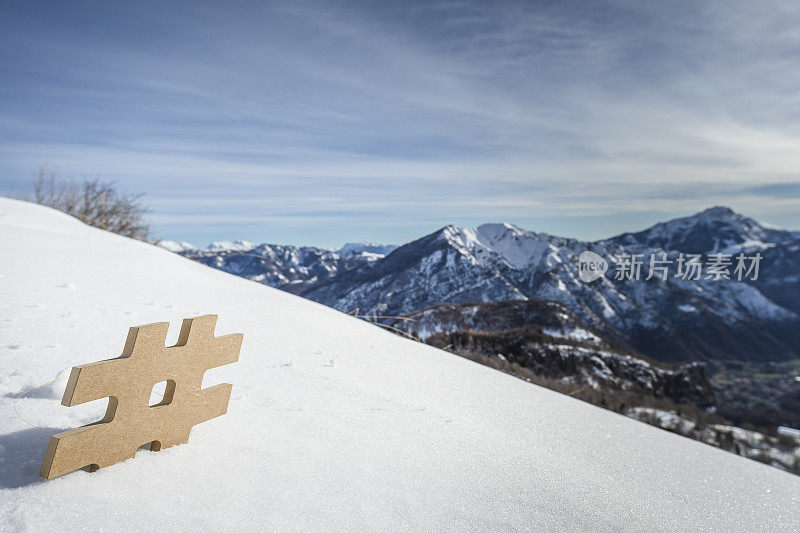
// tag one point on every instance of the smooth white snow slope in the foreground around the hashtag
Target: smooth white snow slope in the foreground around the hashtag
(333, 424)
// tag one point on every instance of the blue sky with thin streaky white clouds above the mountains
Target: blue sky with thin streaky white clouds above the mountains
(323, 123)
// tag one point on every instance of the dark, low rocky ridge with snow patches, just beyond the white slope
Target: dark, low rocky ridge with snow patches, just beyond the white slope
(547, 339)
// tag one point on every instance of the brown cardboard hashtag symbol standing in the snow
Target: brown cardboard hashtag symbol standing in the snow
(130, 421)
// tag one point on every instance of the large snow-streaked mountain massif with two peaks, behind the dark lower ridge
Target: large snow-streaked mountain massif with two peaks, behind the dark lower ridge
(670, 320)
